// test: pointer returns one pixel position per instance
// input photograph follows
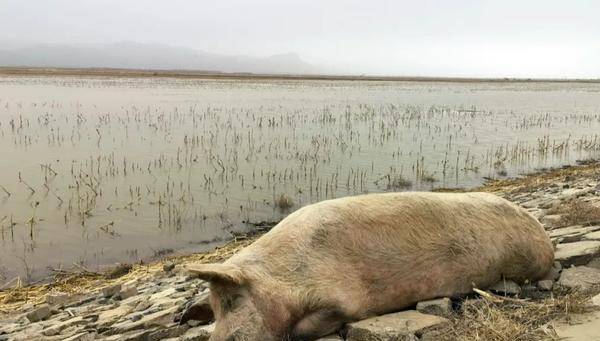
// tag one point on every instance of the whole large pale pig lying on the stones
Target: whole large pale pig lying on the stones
(348, 259)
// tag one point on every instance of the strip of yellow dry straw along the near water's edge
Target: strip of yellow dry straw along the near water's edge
(79, 280)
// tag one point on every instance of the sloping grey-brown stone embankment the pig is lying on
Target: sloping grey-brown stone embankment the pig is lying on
(163, 301)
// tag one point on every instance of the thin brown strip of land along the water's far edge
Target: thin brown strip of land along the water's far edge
(216, 75)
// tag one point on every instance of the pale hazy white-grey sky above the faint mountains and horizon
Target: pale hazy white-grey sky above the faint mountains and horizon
(524, 38)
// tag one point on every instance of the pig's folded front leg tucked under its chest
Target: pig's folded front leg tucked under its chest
(317, 324)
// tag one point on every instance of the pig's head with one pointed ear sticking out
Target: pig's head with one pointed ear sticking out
(238, 315)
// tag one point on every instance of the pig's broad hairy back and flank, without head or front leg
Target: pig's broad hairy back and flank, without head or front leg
(395, 249)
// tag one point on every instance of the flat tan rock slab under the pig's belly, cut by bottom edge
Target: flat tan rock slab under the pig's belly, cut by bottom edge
(400, 326)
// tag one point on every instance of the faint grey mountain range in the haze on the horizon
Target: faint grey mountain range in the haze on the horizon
(131, 55)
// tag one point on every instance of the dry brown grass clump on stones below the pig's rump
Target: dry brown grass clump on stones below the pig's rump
(505, 319)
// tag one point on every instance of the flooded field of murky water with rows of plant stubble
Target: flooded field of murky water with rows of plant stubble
(99, 170)
